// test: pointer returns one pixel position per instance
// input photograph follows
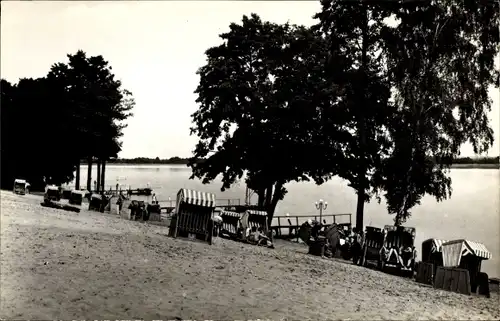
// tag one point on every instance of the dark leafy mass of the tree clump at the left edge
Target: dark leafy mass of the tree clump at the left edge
(50, 123)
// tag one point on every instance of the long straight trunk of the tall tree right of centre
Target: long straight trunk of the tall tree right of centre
(361, 129)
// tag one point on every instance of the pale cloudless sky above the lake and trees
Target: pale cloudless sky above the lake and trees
(154, 48)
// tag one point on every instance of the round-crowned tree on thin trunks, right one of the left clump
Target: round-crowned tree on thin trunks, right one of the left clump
(98, 103)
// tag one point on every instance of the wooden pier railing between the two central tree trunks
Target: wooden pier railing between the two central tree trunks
(292, 223)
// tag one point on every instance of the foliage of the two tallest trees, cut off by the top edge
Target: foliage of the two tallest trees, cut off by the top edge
(437, 63)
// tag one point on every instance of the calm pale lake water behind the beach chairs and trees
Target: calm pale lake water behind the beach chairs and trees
(471, 213)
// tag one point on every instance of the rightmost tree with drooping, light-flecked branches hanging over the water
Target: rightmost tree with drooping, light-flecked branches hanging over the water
(441, 63)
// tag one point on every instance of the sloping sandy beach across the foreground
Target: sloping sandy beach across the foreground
(87, 265)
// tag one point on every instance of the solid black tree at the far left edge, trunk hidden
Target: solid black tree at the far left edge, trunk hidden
(30, 130)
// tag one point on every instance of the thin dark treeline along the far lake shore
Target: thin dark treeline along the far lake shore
(183, 161)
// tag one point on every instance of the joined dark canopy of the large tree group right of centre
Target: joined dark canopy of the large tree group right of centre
(384, 106)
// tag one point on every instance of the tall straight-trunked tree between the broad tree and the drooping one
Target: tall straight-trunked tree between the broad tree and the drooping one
(352, 30)
